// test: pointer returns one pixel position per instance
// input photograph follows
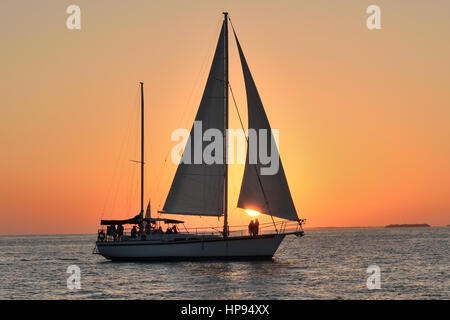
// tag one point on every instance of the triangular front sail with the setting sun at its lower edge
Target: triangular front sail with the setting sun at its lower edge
(267, 194)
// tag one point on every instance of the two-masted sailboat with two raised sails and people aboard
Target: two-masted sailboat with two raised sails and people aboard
(200, 189)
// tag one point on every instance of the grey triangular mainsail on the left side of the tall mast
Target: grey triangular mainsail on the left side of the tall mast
(198, 189)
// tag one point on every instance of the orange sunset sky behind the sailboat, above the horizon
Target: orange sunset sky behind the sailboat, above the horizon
(363, 115)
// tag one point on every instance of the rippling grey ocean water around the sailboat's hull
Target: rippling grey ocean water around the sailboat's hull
(324, 264)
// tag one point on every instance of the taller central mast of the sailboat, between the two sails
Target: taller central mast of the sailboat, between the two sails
(225, 149)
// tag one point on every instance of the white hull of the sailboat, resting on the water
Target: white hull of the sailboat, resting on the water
(260, 247)
